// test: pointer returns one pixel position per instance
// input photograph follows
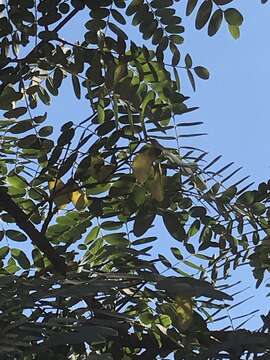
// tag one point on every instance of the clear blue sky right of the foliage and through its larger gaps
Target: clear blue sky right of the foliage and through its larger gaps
(233, 103)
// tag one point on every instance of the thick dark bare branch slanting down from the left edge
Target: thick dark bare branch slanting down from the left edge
(36, 237)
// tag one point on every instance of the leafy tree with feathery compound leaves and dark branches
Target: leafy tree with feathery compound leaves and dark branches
(79, 278)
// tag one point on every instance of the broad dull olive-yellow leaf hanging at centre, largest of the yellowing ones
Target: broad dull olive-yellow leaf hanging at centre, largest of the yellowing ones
(143, 164)
